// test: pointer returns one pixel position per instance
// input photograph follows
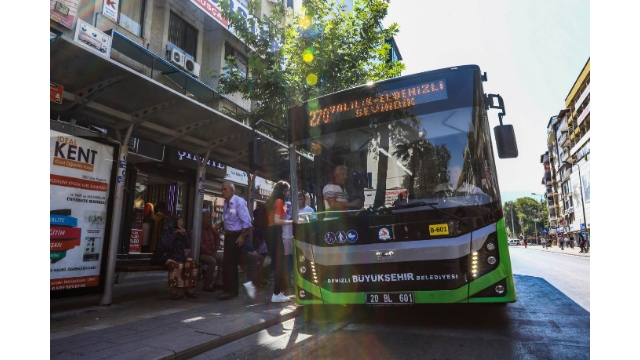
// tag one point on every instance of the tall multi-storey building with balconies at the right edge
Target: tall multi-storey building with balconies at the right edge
(566, 162)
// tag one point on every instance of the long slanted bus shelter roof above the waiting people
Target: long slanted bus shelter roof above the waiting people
(102, 92)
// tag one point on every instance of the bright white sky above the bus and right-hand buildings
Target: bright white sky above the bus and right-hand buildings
(532, 52)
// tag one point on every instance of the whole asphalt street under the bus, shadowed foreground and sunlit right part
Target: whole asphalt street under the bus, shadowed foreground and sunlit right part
(550, 320)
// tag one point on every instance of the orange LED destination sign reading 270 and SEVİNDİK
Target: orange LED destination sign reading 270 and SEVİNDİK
(382, 102)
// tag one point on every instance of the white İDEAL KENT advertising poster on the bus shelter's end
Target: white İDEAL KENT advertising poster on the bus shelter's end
(80, 173)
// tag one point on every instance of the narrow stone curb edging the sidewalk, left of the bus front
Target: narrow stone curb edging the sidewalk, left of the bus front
(223, 340)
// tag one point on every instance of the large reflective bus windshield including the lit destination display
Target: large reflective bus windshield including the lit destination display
(397, 150)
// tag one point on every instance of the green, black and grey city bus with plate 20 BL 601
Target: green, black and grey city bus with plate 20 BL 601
(403, 178)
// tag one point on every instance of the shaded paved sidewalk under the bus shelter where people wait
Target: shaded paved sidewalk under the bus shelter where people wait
(144, 323)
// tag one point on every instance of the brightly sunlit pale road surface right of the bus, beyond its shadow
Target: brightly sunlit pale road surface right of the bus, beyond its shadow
(569, 274)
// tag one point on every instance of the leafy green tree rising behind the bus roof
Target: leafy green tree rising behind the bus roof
(296, 57)
